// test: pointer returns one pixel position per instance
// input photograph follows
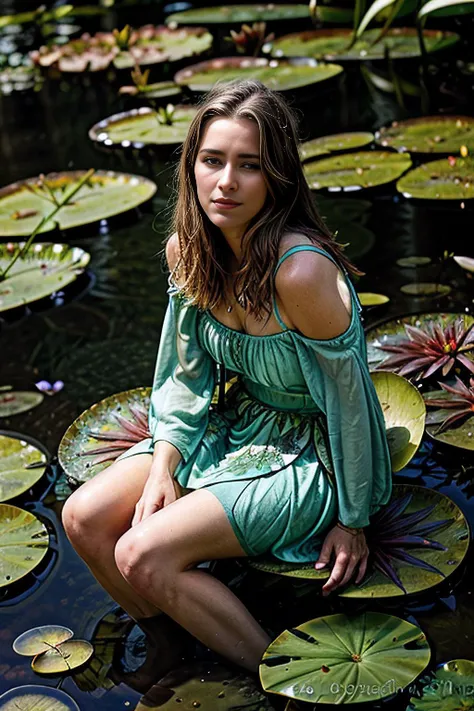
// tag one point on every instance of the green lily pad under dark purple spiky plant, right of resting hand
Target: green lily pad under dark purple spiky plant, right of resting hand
(443, 522)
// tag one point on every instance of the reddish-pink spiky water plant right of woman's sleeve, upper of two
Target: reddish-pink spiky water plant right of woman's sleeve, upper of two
(429, 349)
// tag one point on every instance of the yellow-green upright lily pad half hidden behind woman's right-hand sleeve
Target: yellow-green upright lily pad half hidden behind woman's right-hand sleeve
(404, 413)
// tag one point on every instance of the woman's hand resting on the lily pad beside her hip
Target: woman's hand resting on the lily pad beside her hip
(349, 552)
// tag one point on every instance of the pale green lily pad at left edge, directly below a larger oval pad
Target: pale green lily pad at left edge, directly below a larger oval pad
(44, 269)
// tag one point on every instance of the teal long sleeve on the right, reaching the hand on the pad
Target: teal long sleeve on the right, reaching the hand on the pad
(338, 380)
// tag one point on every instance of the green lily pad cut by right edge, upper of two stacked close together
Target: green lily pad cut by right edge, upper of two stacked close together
(429, 134)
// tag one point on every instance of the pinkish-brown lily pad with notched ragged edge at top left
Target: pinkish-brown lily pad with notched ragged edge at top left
(146, 46)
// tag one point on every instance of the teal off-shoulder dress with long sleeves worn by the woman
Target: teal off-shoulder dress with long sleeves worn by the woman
(299, 440)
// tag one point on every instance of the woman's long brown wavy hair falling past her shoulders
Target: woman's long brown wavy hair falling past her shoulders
(289, 205)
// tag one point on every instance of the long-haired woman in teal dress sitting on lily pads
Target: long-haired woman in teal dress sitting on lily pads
(295, 459)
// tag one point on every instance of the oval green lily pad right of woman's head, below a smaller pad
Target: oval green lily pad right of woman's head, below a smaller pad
(353, 171)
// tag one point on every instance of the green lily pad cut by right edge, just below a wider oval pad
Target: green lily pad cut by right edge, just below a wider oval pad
(446, 179)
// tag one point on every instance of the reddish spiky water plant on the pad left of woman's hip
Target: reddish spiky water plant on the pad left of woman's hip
(118, 441)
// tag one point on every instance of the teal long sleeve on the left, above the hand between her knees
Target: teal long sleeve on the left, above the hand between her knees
(183, 382)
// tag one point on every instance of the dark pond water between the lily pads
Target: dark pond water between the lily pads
(104, 340)
